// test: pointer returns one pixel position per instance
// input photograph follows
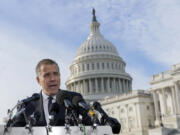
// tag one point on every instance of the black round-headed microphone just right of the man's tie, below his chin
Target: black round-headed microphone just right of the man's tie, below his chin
(63, 99)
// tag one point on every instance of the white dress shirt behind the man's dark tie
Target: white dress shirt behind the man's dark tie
(45, 105)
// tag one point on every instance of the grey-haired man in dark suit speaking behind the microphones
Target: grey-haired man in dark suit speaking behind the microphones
(48, 77)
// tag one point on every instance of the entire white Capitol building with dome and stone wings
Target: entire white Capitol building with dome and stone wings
(99, 73)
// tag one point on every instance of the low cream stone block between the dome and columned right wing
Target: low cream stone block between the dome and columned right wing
(134, 110)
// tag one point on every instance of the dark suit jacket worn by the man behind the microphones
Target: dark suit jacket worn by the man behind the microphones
(60, 119)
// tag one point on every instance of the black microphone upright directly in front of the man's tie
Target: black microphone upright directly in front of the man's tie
(54, 110)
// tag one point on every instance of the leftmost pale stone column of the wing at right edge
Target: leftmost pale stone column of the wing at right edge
(157, 113)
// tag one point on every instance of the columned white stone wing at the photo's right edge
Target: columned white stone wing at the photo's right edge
(165, 88)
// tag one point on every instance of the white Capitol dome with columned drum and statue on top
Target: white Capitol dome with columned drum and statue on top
(97, 70)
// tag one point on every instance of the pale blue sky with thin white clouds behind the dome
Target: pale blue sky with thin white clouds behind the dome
(146, 34)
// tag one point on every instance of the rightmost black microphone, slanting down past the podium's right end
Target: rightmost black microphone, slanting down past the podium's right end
(105, 119)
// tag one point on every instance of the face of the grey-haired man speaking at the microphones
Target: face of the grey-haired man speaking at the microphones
(49, 79)
